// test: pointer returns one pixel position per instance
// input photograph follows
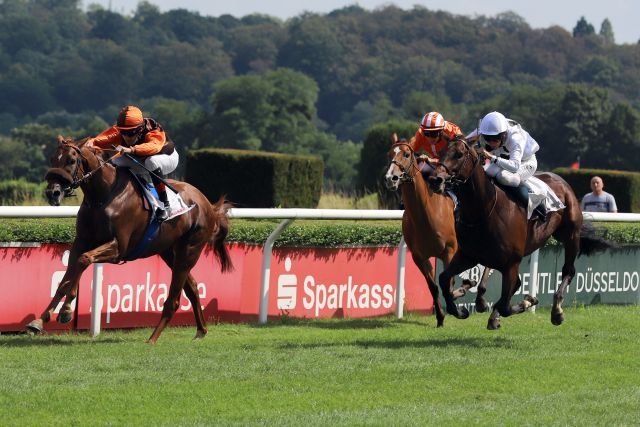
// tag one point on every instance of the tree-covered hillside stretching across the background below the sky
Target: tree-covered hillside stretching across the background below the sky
(313, 84)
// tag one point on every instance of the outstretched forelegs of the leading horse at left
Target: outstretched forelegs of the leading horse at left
(68, 287)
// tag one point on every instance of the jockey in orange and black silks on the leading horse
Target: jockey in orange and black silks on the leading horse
(145, 139)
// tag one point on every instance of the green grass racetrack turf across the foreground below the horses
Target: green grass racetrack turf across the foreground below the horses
(335, 372)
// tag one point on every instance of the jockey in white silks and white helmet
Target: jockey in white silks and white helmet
(510, 149)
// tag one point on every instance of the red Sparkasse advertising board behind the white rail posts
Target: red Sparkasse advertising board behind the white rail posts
(304, 282)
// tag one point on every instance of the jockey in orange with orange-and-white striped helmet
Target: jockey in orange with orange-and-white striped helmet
(432, 136)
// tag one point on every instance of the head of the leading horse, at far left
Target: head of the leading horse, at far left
(62, 176)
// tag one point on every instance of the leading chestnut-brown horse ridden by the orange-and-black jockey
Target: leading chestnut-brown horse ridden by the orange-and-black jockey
(112, 221)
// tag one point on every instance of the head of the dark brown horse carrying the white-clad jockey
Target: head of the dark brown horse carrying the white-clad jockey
(455, 166)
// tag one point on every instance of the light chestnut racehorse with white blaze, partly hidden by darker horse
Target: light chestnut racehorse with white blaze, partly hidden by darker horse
(427, 224)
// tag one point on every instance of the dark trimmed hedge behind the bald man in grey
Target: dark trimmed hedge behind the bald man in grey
(625, 186)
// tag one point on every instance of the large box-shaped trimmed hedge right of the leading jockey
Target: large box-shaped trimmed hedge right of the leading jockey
(256, 179)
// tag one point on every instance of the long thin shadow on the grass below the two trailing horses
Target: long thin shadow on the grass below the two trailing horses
(465, 342)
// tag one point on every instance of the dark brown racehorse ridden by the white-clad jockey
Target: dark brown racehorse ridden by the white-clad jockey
(493, 230)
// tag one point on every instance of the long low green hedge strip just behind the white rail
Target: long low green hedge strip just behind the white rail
(325, 233)
